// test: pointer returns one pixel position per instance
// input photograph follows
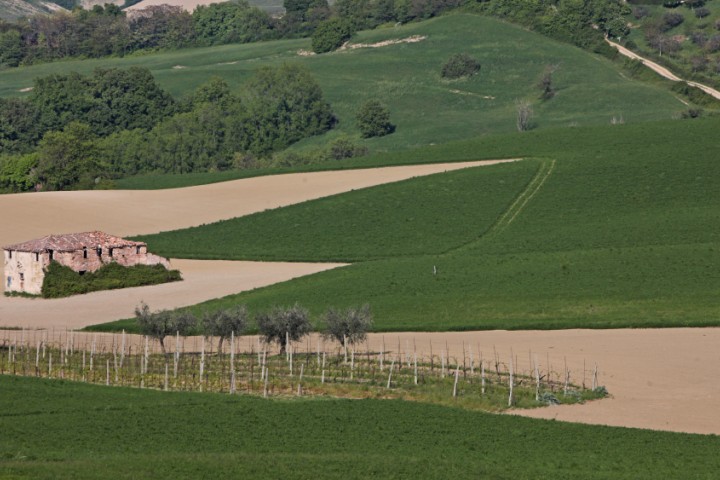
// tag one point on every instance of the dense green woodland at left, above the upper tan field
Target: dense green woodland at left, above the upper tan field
(76, 131)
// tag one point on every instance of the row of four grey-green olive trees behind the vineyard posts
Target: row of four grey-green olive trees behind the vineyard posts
(277, 325)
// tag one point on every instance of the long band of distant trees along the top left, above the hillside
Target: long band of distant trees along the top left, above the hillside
(108, 30)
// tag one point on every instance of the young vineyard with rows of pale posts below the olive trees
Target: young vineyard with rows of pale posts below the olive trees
(313, 366)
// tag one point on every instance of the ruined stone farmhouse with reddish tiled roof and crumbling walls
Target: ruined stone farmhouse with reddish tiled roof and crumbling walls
(25, 263)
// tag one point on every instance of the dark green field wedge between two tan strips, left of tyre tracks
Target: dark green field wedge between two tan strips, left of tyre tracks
(420, 216)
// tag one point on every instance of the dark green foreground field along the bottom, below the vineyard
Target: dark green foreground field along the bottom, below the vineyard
(55, 429)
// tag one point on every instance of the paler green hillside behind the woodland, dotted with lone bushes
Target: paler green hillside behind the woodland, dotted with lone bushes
(426, 109)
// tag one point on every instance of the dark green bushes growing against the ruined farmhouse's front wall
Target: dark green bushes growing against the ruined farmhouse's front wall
(61, 281)
